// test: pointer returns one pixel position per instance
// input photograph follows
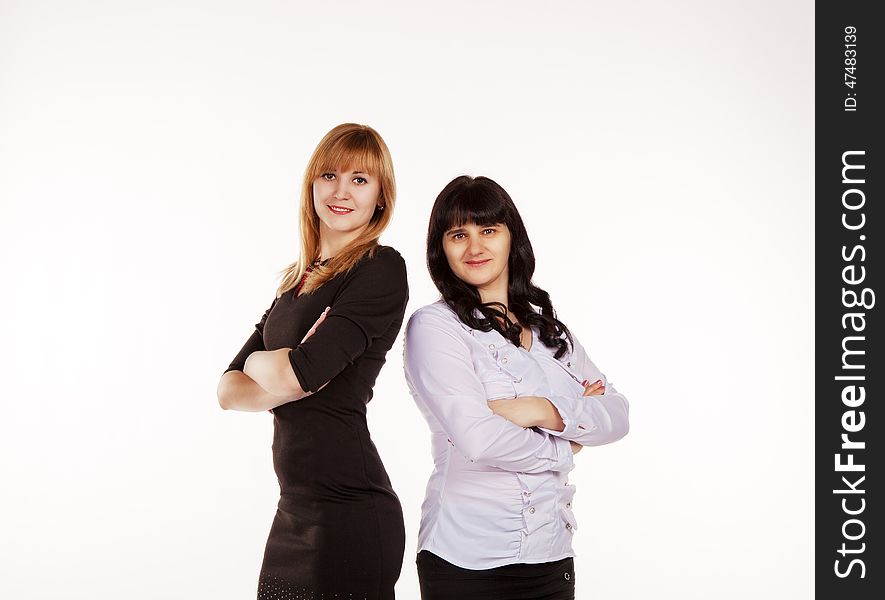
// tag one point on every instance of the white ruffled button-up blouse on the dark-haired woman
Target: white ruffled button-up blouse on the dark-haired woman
(499, 493)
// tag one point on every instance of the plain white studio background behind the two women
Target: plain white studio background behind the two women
(661, 154)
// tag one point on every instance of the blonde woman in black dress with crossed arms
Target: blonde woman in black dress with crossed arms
(312, 361)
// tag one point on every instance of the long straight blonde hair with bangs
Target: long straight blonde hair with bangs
(347, 145)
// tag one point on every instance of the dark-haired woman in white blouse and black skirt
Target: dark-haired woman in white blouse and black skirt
(510, 395)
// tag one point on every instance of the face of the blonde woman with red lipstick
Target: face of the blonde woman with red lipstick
(345, 201)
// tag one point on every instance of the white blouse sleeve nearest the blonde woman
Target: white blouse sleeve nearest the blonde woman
(441, 376)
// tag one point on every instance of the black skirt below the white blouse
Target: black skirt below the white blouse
(441, 580)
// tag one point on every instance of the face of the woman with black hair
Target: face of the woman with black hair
(478, 255)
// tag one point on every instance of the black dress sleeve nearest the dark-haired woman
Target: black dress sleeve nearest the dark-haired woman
(371, 300)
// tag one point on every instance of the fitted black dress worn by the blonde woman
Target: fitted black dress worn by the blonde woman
(338, 530)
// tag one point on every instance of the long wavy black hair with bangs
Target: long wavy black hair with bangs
(481, 201)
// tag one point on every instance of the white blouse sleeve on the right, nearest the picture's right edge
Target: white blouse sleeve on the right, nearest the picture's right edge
(591, 420)
